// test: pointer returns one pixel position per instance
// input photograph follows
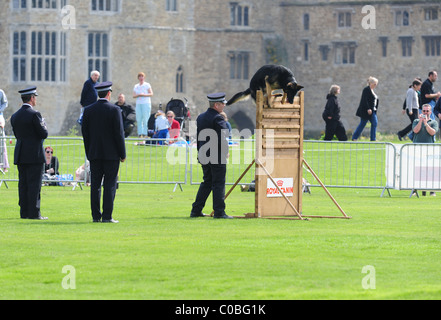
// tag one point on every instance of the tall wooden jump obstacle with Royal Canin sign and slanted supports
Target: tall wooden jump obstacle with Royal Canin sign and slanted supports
(279, 159)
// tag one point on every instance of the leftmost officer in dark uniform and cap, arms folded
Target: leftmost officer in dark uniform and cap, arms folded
(30, 130)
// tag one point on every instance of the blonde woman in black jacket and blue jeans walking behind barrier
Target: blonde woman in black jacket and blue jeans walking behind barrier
(367, 110)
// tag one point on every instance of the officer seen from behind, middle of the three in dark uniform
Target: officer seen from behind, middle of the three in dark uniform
(103, 135)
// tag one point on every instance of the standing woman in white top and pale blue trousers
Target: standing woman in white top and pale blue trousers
(142, 93)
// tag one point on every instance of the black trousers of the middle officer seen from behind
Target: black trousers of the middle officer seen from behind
(103, 172)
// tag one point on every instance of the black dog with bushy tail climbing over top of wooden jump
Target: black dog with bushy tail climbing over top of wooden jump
(279, 77)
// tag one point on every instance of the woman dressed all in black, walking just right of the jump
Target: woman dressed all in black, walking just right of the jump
(331, 115)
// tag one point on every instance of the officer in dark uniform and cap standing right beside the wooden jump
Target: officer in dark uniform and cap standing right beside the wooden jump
(212, 145)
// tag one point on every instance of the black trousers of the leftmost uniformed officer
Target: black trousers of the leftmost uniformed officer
(30, 177)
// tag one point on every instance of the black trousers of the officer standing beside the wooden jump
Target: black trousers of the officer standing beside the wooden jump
(214, 180)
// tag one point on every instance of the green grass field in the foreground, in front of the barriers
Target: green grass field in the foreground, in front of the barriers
(158, 252)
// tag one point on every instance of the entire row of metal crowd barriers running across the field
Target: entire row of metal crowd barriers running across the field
(373, 165)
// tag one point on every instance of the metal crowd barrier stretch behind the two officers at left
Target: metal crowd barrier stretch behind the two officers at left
(145, 164)
